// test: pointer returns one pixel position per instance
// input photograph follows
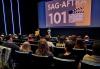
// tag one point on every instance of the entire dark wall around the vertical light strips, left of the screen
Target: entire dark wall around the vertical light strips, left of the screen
(28, 16)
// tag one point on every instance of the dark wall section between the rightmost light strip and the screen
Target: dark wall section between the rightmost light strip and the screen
(29, 15)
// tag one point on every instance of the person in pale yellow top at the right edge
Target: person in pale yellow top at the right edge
(95, 58)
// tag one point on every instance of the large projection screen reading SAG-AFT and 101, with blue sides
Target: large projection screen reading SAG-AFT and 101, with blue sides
(69, 13)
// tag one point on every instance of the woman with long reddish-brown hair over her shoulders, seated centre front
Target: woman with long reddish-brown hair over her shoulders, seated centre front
(43, 49)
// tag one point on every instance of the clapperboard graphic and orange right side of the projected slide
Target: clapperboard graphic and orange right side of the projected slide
(81, 14)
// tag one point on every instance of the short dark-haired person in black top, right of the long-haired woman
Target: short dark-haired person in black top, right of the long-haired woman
(68, 51)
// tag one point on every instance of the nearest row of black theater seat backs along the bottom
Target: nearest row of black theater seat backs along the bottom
(24, 60)
